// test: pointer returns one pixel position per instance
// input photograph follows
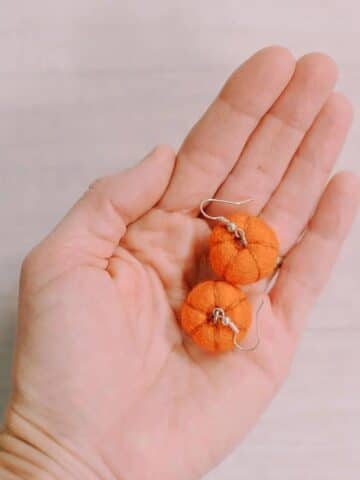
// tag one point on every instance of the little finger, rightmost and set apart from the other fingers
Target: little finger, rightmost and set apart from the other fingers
(308, 266)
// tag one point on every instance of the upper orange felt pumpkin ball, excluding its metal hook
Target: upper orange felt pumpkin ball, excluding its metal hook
(238, 264)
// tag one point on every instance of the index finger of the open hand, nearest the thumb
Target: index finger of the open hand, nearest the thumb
(215, 143)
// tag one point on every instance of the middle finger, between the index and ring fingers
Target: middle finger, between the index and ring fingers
(274, 142)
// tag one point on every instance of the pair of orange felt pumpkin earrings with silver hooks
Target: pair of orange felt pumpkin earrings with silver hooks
(243, 249)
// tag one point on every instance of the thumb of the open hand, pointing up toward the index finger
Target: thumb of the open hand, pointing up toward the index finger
(113, 202)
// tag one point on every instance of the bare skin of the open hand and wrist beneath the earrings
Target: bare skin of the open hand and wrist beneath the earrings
(105, 385)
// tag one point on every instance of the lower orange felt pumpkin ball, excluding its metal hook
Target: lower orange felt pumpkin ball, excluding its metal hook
(196, 315)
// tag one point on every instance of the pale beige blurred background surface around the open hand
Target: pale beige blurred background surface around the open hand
(87, 87)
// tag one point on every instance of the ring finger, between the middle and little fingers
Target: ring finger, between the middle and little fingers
(291, 206)
